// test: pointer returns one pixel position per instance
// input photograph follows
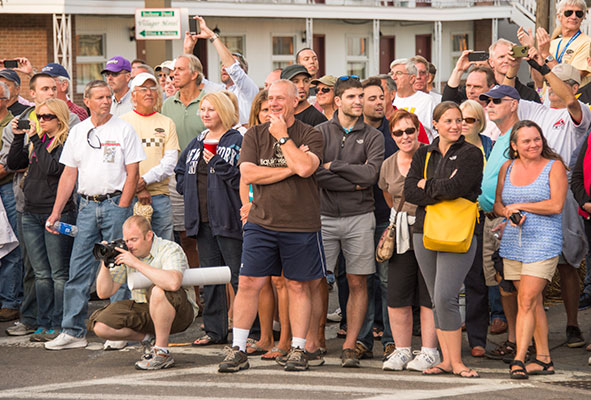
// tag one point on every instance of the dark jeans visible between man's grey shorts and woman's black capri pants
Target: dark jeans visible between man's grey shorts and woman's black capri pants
(366, 333)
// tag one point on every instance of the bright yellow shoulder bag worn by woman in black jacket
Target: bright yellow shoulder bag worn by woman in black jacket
(449, 224)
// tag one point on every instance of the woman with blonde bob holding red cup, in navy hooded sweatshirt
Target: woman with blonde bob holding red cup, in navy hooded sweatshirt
(208, 177)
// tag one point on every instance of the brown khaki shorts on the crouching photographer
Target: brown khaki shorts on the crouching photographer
(136, 316)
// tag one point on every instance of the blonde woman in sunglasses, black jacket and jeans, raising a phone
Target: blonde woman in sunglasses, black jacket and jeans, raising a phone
(49, 254)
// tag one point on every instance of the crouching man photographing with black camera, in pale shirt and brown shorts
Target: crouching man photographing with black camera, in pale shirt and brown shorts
(155, 312)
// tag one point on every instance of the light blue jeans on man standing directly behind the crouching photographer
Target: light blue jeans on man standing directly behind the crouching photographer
(95, 222)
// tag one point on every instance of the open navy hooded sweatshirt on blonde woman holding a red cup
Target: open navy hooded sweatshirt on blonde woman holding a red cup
(223, 179)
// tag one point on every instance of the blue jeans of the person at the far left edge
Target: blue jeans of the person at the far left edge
(11, 265)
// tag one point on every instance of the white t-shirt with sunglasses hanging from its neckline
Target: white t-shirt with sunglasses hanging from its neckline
(102, 170)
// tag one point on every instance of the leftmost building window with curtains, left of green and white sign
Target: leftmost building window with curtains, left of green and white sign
(90, 58)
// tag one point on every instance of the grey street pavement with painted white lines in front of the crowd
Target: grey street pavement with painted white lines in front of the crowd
(28, 371)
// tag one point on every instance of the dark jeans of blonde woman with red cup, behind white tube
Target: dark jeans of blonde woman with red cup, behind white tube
(215, 251)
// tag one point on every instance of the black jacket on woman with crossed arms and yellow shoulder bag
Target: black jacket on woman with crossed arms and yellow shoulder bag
(462, 156)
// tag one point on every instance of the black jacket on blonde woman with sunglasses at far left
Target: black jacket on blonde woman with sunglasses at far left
(43, 175)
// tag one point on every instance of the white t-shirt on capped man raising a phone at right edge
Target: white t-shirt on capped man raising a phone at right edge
(561, 133)
